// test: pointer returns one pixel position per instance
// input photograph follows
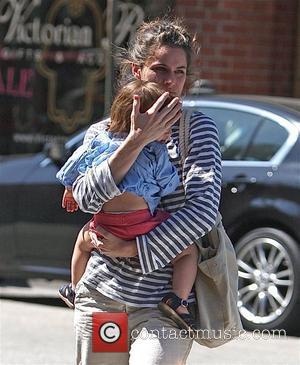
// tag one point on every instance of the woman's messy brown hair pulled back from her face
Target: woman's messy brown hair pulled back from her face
(151, 36)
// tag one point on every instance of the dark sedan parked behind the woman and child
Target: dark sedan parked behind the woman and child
(260, 205)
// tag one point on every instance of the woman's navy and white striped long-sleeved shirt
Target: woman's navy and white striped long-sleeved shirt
(142, 281)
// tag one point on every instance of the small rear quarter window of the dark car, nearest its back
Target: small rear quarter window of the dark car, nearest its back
(267, 141)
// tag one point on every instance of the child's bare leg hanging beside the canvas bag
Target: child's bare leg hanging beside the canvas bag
(184, 273)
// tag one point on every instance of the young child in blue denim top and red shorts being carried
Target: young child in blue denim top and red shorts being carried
(134, 212)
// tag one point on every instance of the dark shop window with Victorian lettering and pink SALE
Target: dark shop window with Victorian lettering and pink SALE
(52, 57)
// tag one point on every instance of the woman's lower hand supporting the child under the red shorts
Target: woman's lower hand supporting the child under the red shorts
(111, 245)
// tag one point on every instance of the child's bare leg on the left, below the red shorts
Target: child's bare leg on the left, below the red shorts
(81, 255)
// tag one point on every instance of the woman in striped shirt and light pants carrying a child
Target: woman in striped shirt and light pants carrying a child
(133, 276)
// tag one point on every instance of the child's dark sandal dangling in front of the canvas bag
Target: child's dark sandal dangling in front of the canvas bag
(168, 306)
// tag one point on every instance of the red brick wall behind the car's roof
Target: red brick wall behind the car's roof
(247, 46)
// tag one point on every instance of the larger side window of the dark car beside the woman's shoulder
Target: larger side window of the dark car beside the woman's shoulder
(236, 129)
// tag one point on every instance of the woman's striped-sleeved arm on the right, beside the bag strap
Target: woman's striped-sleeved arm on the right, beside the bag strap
(202, 186)
